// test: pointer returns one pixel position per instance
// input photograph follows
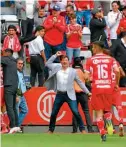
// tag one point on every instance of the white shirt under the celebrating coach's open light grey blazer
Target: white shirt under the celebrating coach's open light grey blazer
(62, 79)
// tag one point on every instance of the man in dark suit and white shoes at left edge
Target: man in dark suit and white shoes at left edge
(10, 87)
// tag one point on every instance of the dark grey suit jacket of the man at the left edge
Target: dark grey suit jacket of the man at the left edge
(9, 71)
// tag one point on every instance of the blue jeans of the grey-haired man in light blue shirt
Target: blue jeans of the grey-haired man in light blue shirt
(22, 110)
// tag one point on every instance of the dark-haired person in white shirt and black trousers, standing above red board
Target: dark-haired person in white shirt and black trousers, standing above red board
(37, 57)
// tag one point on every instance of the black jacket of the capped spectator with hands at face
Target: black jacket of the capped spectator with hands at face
(97, 29)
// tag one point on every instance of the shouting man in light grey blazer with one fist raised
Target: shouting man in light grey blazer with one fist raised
(61, 80)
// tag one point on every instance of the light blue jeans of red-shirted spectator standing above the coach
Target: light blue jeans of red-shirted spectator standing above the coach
(72, 53)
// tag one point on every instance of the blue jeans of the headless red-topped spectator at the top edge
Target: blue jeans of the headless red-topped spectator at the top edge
(83, 16)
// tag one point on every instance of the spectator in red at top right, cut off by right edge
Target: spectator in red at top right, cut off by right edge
(122, 24)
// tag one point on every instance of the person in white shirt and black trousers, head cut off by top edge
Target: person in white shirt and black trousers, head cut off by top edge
(25, 14)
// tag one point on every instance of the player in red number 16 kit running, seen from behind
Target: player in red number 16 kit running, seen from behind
(101, 67)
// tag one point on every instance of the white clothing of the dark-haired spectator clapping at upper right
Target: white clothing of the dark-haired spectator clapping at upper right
(113, 23)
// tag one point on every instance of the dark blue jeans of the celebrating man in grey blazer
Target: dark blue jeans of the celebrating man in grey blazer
(59, 100)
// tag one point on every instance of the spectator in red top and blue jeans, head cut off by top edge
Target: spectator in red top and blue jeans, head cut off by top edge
(84, 11)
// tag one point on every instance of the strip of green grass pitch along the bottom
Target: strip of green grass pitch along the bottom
(61, 140)
